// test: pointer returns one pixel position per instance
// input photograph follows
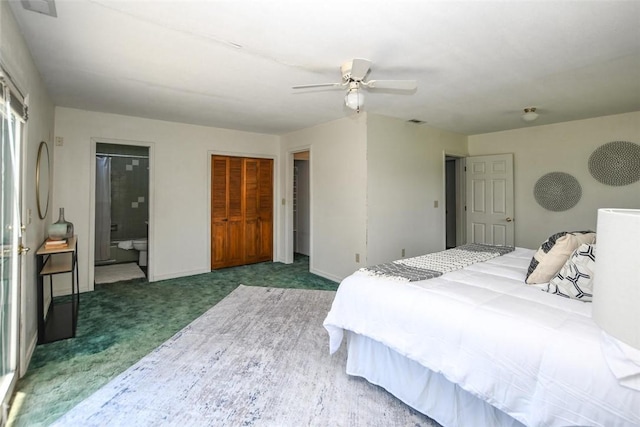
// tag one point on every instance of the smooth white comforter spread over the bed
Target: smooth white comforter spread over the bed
(534, 355)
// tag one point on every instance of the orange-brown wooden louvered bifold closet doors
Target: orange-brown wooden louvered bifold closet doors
(241, 211)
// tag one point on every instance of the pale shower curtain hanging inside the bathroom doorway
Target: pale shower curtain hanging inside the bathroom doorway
(103, 208)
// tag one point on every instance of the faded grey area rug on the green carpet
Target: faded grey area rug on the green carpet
(260, 357)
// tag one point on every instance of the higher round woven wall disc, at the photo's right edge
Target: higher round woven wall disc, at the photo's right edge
(616, 163)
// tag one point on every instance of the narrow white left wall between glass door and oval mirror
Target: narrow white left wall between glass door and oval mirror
(17, 61)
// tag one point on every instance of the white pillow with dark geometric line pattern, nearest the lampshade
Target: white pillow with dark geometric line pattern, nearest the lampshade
(575, 278)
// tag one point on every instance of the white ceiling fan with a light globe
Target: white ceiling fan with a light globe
(354, 73)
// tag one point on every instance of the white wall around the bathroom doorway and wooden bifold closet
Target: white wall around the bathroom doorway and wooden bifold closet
(179, 223)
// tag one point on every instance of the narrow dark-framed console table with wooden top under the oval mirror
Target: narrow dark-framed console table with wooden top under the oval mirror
(61, 318)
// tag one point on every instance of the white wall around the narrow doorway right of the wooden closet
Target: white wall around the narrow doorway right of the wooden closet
(338, 194)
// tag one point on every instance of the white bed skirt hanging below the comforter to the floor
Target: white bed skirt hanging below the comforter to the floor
(422, 389)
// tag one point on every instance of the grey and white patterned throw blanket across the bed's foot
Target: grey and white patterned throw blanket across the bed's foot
(436, 264)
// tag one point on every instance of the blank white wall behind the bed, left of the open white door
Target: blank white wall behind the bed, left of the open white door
(405, 172)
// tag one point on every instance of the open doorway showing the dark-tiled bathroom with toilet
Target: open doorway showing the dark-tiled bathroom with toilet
(121, 212)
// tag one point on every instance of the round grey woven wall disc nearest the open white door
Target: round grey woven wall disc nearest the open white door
(557, 191)
